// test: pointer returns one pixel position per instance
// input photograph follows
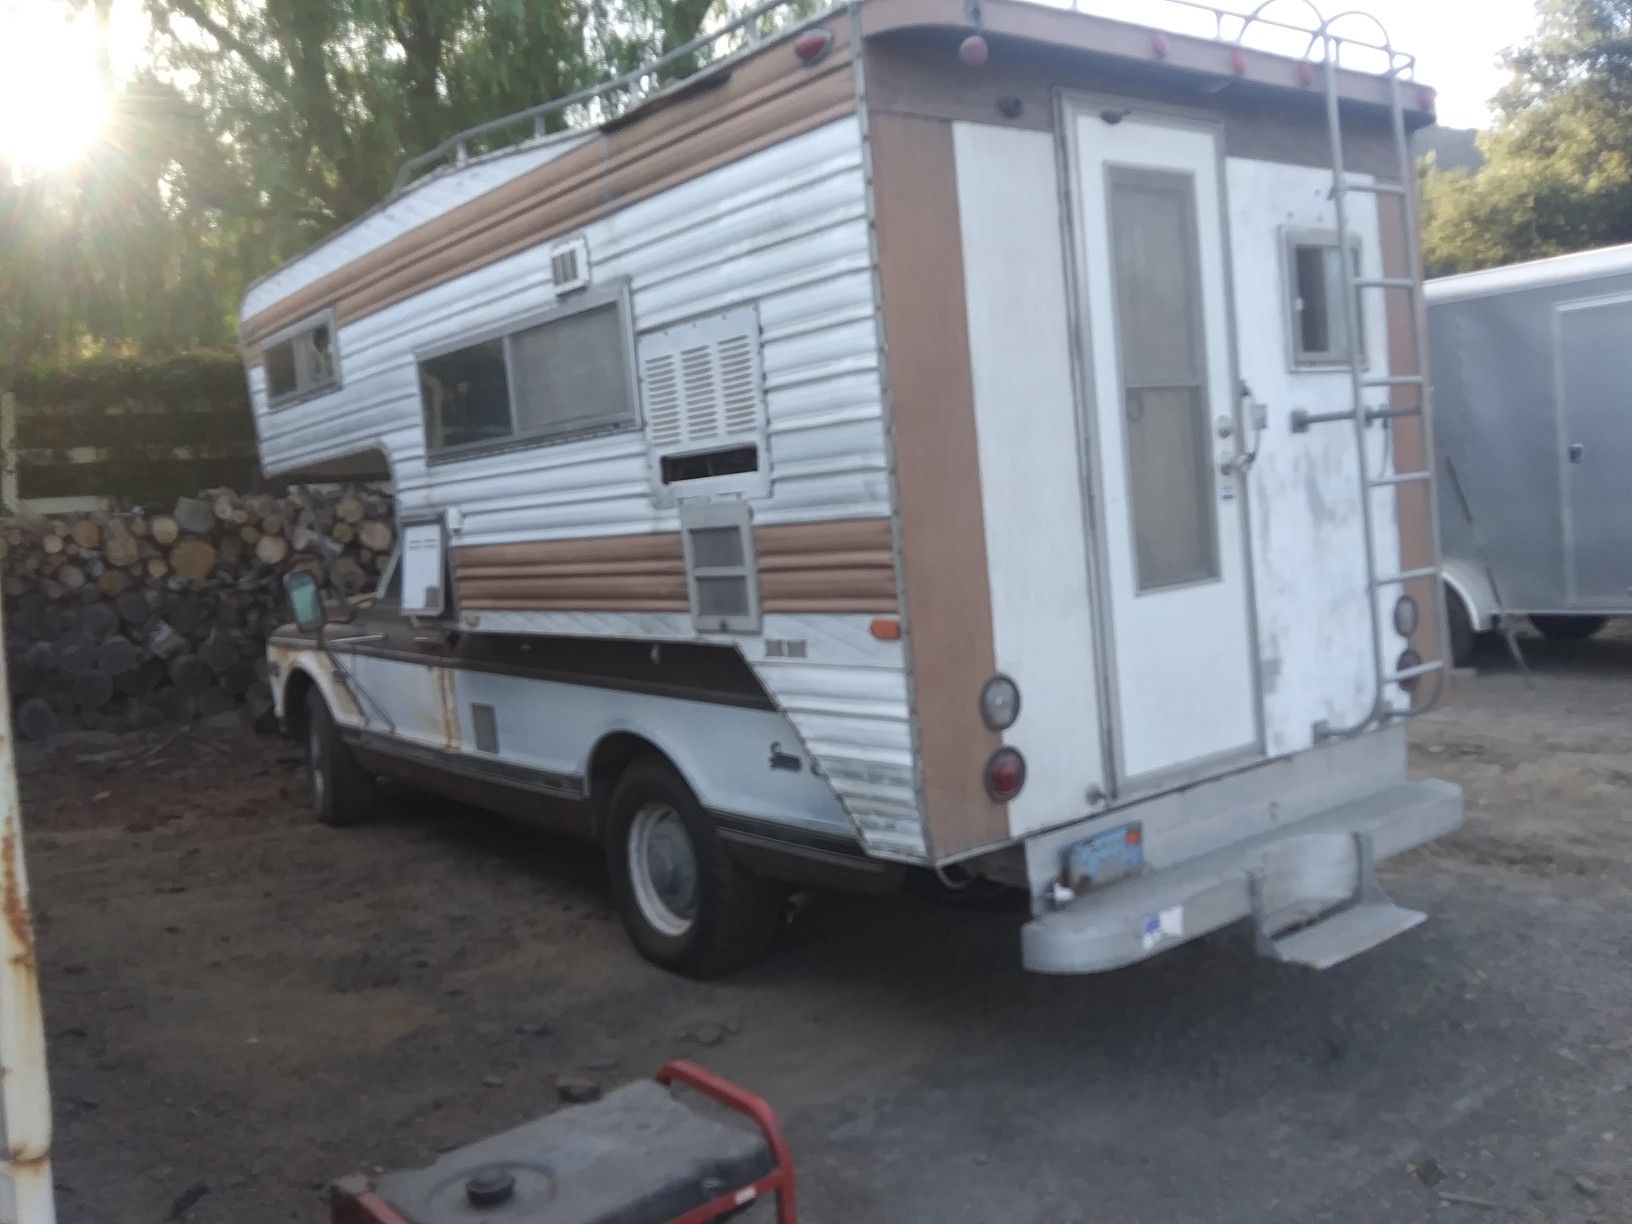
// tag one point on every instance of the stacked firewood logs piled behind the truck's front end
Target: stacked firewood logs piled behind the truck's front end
(135, 621)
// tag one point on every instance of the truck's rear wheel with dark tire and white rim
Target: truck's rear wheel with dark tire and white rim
(686, 903)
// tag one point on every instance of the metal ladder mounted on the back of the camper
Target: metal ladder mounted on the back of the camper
(1362, 417)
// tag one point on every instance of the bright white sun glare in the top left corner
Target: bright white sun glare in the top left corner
(53, 91)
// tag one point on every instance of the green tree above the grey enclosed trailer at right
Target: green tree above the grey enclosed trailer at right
(1558, 172)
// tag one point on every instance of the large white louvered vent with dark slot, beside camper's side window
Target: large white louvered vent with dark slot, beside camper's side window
(706, 409)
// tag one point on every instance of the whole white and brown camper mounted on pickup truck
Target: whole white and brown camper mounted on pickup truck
(923, 440)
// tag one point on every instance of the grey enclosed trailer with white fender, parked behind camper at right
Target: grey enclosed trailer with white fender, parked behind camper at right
(1532, 366)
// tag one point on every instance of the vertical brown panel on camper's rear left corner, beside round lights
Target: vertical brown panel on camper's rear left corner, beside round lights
(949, 603)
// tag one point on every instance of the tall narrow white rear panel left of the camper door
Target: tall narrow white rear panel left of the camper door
(1032, 490)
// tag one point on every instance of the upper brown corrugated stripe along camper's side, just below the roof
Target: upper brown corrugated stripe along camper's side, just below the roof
(717, 120)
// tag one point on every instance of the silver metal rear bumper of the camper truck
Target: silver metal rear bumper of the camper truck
(1302, 869)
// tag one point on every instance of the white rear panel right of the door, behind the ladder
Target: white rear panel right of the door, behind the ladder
(1310, 567)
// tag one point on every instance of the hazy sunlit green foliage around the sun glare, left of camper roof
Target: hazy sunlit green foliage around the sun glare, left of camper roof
(264, 126)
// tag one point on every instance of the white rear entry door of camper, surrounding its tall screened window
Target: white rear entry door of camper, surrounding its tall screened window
(1184, 686)
